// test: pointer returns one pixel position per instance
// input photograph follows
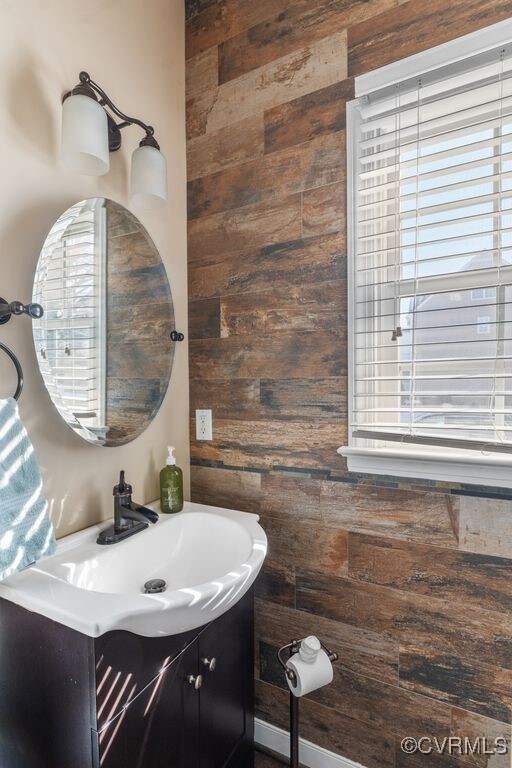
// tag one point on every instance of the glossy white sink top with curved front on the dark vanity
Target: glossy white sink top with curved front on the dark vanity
(207, 556)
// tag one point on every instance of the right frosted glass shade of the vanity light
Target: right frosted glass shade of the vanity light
(148, 178)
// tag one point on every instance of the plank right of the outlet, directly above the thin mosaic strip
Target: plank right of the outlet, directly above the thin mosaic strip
(266, 444)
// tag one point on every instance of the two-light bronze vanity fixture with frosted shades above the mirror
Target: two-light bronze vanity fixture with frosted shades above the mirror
(90, 132)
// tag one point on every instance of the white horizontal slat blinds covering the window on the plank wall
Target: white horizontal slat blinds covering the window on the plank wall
(431, 300)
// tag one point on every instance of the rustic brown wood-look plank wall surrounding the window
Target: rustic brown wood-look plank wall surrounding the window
(411, 583)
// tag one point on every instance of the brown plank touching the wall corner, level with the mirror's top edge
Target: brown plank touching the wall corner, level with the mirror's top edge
(253, 226)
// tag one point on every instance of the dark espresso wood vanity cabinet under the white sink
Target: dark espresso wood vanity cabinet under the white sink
(126, 701)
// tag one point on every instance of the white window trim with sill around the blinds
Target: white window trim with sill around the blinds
(448, 465)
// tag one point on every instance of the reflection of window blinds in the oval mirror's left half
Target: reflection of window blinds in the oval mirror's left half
(70, 284)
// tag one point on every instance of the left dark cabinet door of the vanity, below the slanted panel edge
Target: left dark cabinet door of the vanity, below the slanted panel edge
(158, 728)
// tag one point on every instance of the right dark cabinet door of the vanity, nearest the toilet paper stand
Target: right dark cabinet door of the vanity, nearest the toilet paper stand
(226, 718)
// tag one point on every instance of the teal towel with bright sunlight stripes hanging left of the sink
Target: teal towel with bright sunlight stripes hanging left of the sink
(26, 532)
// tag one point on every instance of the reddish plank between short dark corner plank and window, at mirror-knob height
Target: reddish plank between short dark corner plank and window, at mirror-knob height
(307, 308)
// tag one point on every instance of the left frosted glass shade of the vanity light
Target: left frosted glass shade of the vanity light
(84, 146)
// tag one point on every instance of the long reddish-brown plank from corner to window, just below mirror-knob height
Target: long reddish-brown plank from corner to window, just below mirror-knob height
(286, 354)
